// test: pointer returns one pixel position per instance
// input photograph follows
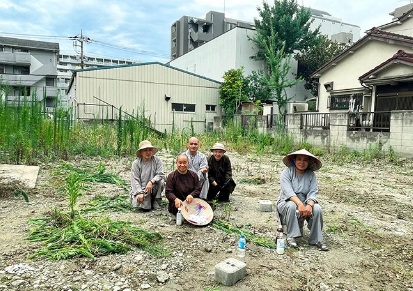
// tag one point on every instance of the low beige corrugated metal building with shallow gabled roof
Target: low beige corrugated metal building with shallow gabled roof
(168, 97)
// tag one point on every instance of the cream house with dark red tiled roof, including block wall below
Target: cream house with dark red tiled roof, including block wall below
(367, 90)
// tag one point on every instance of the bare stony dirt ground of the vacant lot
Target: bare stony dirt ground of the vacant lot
(368, 225)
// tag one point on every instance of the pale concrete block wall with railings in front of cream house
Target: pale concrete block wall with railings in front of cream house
(399, 138)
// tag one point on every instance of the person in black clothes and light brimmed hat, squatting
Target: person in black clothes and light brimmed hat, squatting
(220, 179)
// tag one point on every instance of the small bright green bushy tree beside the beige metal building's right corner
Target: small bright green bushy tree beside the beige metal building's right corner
(233, 91)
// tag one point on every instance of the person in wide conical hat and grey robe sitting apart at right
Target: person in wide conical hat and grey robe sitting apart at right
(298, 198)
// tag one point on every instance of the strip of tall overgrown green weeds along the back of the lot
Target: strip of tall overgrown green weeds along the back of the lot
(28, 134)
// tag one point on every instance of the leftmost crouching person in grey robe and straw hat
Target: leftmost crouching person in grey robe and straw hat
(147, 178)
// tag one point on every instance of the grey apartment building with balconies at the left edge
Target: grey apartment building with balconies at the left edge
(29, 68)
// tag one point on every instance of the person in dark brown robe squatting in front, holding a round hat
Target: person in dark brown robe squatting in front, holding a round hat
(181, 185)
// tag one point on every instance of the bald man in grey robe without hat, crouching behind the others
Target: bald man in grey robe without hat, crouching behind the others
(199, 164)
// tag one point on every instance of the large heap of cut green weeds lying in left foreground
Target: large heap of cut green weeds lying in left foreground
(65, 238)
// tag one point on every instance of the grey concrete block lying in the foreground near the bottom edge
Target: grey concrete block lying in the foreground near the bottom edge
(230, 271)
